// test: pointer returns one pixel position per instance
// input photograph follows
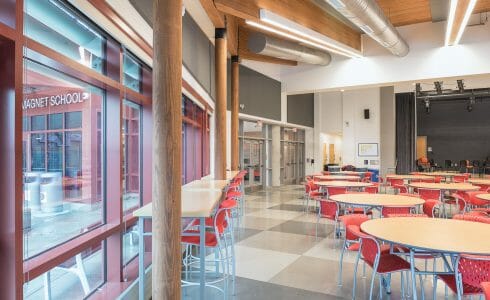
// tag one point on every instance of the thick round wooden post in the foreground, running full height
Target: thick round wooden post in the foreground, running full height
(167, 148)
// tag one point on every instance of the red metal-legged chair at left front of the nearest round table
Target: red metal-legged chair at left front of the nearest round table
(381, 263)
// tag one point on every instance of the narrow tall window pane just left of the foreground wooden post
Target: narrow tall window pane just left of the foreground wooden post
(131, 155)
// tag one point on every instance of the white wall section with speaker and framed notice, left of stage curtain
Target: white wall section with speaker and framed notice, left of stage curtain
(356, 129)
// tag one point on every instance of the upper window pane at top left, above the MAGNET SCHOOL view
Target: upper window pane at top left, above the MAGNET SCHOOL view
(57, 26)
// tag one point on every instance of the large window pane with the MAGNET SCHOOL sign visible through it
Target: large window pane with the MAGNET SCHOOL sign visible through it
(62, 157)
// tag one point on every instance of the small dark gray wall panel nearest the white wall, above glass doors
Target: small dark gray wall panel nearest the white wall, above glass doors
(301, 109)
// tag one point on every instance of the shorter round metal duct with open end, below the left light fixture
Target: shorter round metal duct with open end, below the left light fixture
(261, 44)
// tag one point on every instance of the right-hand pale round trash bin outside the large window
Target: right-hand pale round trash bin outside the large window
(51, 192)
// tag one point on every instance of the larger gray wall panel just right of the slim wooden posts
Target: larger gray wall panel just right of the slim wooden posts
(260, 94)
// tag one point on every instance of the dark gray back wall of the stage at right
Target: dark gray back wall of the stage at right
(453, 132)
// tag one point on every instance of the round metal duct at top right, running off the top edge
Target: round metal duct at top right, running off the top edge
(369, 17)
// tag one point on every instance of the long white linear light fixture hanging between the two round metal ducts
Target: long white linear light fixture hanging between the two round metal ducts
(301, 34)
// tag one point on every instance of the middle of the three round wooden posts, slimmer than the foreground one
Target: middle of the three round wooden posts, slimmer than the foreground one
(220, 110)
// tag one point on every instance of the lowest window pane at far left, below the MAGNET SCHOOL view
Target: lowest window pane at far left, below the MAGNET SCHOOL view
(75, 278)
